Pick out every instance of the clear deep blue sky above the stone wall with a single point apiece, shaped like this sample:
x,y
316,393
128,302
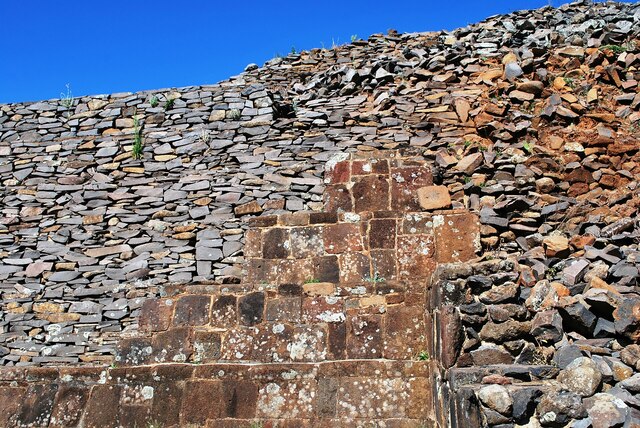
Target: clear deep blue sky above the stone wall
x,y
106,46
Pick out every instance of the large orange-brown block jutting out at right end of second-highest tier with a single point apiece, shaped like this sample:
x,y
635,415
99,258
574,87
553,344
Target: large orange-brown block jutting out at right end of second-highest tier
x,y
457,237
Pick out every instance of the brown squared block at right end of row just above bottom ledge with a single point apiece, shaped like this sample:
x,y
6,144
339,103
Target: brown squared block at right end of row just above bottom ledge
x,y
404,332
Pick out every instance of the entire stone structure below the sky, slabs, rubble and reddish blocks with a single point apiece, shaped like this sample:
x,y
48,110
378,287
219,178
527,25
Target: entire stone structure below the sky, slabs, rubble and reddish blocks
x,y
479,210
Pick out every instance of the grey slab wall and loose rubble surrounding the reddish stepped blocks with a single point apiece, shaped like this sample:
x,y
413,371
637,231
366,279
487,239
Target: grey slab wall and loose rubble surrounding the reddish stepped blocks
x,y
529,119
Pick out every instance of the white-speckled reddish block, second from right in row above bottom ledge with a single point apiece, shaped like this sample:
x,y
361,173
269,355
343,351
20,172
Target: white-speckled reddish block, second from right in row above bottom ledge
x,y
364,336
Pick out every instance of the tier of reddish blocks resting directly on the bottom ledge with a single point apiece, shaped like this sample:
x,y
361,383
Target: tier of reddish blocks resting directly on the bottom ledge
x,y
289,322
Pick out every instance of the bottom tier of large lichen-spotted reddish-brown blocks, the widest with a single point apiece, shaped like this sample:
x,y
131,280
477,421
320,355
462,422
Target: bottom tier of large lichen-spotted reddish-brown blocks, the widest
x,y
322,394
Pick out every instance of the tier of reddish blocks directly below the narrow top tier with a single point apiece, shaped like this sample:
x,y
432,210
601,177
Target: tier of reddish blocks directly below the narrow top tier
x,y
349,247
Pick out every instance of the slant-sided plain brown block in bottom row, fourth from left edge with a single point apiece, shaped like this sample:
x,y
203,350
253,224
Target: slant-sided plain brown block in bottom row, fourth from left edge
x,y
103,407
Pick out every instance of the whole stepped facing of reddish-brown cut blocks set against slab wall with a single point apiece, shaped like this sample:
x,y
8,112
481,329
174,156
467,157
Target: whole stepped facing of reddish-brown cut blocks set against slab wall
x,y
333,324
